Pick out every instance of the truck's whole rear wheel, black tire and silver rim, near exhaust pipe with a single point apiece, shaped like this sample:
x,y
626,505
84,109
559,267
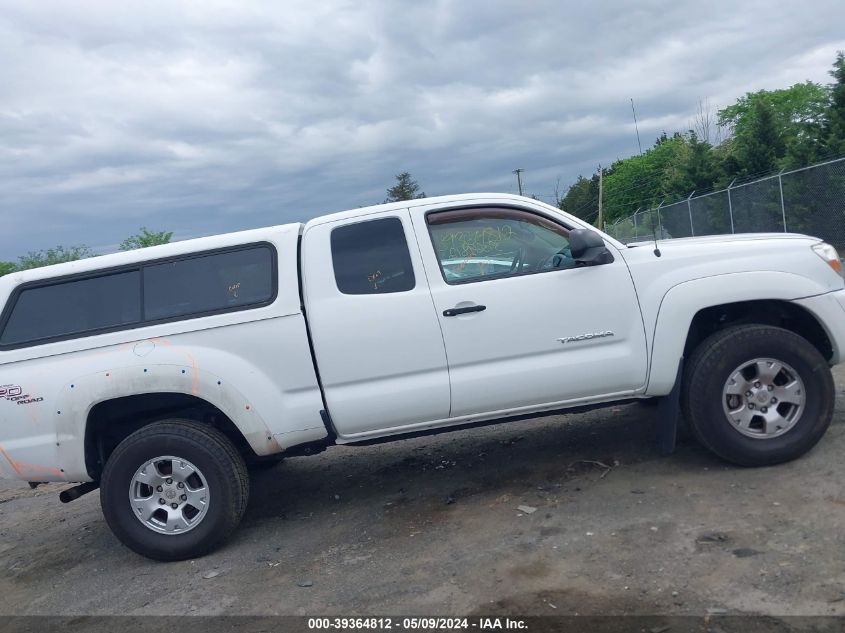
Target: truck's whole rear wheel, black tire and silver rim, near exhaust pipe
x,y
174,490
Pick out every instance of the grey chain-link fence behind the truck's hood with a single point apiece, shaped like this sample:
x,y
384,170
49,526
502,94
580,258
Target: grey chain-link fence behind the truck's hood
x,y
810,200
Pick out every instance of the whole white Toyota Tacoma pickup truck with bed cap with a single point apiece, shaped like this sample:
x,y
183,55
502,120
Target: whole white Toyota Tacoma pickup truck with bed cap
x,y
159,375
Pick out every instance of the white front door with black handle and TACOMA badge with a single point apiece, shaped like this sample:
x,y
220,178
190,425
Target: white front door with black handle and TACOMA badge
x,y
526,327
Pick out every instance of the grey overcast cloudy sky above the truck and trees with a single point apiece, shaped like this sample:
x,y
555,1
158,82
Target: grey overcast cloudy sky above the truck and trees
x,y
208,116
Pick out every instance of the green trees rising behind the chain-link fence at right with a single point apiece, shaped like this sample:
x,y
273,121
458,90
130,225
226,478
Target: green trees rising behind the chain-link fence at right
x,y
763,132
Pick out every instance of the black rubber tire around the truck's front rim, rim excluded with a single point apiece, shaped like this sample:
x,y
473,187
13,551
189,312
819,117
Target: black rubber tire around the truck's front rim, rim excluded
x,y
710,367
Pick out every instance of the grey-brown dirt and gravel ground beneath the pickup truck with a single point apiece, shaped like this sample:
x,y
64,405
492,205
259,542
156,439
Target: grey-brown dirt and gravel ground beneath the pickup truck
x,y
433,526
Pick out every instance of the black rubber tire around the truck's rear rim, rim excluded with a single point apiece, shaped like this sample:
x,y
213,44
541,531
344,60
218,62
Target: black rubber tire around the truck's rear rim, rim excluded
x,y
211,452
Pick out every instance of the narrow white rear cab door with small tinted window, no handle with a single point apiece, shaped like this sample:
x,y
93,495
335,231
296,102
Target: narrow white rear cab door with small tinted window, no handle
x,y
376,337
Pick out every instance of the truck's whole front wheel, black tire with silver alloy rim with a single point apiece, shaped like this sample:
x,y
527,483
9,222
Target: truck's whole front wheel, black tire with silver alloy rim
x,y
757,395
